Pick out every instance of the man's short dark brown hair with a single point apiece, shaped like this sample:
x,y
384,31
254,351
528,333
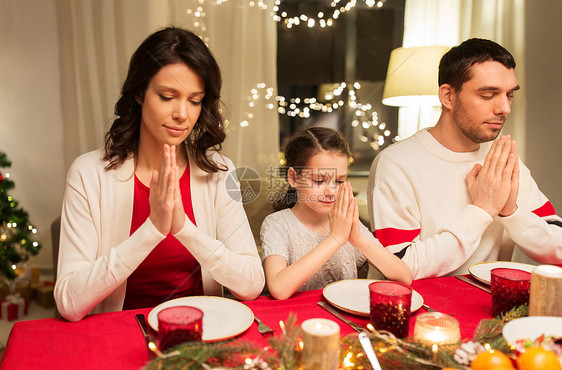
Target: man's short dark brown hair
x,y
455,67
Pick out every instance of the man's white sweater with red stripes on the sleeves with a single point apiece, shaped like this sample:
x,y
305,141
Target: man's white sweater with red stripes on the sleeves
x,y
420,208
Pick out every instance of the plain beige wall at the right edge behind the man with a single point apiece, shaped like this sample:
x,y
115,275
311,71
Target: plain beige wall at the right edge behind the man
x,y
544,96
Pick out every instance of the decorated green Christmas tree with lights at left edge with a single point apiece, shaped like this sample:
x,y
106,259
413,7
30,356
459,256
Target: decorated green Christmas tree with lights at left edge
x,y
16,244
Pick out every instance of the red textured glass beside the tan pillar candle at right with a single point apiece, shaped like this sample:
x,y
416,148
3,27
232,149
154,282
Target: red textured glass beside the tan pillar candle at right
x,y
510,288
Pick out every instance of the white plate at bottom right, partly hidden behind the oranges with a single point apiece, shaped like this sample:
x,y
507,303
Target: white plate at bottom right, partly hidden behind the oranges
x,y
531,328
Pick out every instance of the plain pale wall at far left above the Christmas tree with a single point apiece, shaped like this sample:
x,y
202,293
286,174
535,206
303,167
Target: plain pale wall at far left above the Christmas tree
x,y
30,117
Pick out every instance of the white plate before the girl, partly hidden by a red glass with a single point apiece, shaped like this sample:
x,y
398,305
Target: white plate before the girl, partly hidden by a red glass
x,y
352,296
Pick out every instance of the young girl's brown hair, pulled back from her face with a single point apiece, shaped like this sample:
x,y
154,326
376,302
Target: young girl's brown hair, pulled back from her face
x,y
302,146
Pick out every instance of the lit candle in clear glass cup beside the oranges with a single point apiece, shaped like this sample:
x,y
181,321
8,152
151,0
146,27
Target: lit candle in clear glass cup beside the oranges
x,y
437,328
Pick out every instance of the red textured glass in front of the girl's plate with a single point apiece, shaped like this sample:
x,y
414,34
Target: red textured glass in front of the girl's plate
x,y
390,307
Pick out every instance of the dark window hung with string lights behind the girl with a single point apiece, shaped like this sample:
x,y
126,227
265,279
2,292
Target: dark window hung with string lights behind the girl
x,y
334,75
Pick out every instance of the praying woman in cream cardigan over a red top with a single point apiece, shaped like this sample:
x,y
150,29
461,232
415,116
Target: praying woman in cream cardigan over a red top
x,y
149,218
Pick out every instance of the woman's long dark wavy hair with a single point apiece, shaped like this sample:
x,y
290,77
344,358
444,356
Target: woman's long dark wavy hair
x,y
168,46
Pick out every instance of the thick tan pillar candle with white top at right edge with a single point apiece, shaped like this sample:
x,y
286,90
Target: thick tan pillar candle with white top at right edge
x,y
545,293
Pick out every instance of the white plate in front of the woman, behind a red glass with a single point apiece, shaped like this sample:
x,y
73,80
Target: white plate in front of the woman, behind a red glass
x,y
223,318
